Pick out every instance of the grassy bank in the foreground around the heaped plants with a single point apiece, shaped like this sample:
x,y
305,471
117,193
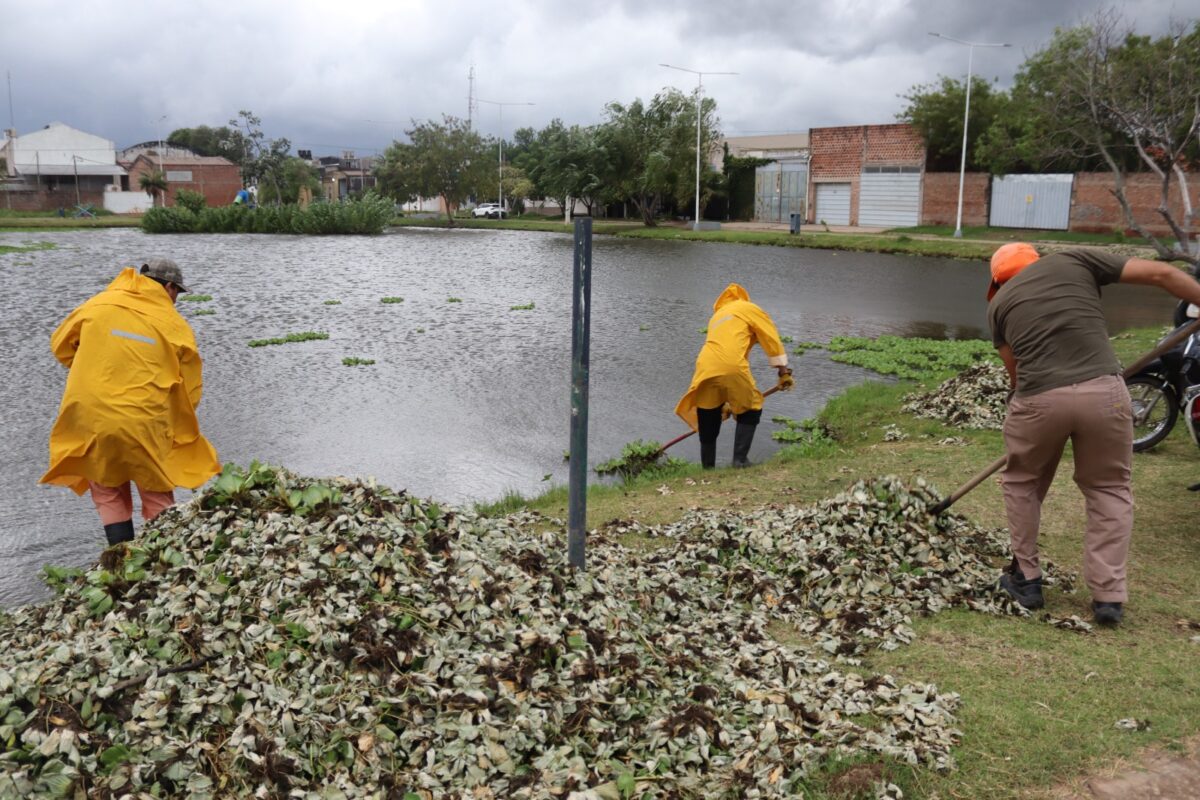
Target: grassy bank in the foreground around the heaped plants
x,y
1040,703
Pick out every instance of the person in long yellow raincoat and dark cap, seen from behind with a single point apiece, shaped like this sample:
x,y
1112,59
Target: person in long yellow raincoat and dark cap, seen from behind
x,y
129,410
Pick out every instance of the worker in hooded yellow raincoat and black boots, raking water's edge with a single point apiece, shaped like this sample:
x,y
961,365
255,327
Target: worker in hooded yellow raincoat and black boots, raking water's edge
x,y
723,381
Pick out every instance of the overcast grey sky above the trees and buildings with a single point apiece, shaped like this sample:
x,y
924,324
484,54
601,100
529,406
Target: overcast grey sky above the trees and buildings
x,y
352,75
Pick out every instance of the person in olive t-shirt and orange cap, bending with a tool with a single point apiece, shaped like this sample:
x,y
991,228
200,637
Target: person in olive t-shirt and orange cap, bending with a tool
x,y
1048,324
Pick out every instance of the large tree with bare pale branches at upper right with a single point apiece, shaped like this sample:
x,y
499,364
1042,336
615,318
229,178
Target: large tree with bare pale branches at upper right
x,y
1100,93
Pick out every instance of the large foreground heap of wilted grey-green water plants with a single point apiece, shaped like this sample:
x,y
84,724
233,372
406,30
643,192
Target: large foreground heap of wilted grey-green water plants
x,y
284,637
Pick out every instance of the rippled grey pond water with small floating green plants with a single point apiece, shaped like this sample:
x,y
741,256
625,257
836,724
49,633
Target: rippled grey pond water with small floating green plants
x,y
466,400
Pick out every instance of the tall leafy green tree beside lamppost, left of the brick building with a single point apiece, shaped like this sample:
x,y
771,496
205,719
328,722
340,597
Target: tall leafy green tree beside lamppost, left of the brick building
x,y
651,151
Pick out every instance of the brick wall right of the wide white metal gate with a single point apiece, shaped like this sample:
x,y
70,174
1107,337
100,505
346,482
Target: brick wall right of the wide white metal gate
x,y
1094,208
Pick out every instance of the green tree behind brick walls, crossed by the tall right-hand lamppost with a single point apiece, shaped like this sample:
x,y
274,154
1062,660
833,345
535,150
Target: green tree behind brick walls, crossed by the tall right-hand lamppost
x,y
935,111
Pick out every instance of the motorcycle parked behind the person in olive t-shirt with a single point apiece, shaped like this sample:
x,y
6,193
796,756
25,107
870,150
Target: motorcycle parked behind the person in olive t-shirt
x,y
1166,387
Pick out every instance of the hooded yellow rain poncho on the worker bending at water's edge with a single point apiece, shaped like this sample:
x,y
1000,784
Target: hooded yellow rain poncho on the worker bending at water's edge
x,y
723,368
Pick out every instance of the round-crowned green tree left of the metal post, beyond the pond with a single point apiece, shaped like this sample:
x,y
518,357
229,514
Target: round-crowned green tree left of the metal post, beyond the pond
x,y
446,160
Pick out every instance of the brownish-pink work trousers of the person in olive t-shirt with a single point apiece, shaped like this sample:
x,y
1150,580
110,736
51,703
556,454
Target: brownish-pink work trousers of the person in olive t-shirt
x,y
1096,417
